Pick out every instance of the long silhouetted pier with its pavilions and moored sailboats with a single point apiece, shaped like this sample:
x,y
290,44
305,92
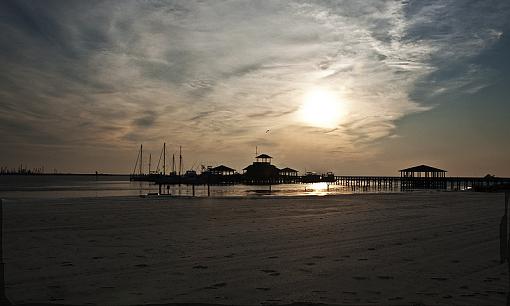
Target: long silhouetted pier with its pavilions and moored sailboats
x,y
263,172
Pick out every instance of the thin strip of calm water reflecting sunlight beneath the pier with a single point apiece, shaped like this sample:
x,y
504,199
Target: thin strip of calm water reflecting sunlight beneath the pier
x,y
51,186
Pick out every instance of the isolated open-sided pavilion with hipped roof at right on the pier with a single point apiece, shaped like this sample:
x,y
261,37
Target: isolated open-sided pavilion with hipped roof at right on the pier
x,y
423,177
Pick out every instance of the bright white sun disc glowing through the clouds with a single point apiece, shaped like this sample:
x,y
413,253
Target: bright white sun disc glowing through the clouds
x,y
321,108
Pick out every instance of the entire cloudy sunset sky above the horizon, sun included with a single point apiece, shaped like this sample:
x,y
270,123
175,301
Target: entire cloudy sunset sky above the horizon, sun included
x,y
354,87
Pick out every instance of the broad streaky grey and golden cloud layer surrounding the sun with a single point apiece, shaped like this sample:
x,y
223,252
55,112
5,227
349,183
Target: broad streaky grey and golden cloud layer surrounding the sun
x,y
203,72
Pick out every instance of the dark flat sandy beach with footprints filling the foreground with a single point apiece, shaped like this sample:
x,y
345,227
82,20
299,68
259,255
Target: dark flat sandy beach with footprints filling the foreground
x,y
429,248
